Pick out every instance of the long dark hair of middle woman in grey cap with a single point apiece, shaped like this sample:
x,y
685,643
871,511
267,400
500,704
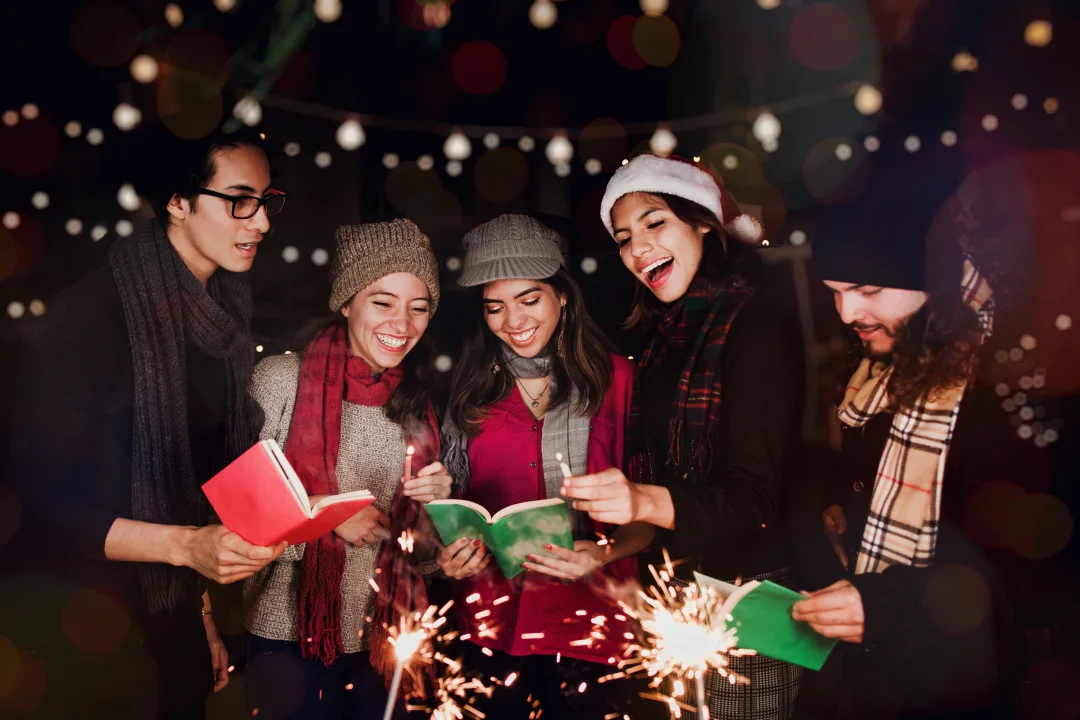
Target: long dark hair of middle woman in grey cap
x,y
585,364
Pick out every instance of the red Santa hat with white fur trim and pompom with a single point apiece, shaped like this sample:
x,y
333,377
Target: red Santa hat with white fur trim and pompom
x,y
674,176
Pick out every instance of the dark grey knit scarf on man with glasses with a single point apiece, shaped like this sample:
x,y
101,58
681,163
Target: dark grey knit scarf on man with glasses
x,y
165,305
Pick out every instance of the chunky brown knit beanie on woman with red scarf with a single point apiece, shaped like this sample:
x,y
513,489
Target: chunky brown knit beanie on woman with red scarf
x,y
369,252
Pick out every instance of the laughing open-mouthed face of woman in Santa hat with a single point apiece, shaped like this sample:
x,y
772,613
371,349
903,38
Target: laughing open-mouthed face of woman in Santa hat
x,y
659,249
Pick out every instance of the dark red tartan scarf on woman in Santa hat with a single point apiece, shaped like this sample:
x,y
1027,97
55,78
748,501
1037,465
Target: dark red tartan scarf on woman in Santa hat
x,y
707,323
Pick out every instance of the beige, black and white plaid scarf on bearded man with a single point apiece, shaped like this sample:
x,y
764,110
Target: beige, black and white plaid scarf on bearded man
x,y
906,508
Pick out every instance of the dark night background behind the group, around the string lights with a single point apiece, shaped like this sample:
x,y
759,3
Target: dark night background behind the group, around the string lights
x,y
606,77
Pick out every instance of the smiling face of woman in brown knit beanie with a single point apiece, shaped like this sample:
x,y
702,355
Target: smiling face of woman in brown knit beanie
x,y
387,319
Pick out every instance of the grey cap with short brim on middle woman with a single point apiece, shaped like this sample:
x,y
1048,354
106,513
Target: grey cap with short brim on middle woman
x,y
510,247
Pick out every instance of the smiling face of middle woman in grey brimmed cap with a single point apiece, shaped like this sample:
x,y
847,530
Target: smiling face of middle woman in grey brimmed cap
x,y
523,314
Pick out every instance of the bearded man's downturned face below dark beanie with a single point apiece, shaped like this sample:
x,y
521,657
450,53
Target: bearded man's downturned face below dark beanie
x,y
875,314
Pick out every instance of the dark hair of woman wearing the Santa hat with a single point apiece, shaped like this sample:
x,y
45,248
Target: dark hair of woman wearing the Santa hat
x,y
722,257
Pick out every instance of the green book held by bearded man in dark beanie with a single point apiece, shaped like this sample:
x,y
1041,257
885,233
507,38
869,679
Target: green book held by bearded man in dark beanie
x,y
762,615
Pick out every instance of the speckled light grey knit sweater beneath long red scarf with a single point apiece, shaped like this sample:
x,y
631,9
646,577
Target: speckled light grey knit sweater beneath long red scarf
x,y
372,457
